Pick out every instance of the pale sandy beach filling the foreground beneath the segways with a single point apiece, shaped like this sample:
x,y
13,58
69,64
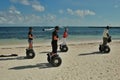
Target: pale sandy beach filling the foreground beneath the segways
x,y
82,62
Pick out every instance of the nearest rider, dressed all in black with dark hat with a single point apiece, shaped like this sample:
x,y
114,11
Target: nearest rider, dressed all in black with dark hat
x,y
55,40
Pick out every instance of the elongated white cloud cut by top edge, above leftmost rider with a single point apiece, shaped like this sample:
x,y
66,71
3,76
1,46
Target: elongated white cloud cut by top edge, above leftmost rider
x,y
33,3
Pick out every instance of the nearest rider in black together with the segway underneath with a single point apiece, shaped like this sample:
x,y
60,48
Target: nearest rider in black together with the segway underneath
x,y
53,57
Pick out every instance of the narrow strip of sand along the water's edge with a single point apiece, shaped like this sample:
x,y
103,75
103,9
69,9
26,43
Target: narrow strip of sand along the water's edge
x,y
69,43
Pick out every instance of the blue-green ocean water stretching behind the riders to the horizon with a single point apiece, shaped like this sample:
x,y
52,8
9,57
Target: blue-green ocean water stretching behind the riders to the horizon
x,y
18,35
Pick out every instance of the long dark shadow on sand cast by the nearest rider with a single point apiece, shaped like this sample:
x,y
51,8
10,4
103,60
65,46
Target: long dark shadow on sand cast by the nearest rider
x,y
40,66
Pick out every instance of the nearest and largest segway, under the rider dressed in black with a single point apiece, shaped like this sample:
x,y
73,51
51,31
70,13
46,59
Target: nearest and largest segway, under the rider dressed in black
x,y
55,60
